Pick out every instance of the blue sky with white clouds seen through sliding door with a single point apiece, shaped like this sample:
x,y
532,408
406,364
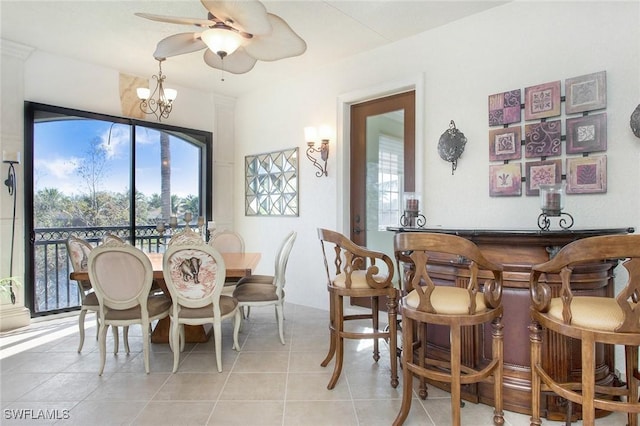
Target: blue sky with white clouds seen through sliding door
x,y
60,145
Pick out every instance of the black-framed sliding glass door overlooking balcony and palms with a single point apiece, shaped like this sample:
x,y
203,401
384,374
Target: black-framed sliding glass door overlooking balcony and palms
x,y
91,174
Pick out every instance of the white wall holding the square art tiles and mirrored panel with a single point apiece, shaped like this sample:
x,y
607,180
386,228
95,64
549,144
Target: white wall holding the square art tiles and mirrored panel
x,y
517,45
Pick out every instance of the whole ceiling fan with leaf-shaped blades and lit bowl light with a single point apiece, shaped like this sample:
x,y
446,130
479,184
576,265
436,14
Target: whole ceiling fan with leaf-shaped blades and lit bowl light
x,y
236,35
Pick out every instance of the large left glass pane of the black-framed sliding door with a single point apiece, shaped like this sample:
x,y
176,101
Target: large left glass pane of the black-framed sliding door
x,y
81,182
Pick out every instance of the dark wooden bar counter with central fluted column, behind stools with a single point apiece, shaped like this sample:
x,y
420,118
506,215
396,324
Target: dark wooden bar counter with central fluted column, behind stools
x,y
517,251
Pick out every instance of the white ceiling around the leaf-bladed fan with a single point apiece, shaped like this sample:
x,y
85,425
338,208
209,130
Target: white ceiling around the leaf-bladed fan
x,y
107,33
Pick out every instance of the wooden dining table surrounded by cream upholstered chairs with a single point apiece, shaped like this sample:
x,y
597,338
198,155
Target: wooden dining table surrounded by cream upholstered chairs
x,y
237,265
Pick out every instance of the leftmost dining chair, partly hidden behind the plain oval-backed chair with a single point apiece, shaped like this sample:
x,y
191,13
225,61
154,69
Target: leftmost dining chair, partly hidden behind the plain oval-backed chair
x,y
78,251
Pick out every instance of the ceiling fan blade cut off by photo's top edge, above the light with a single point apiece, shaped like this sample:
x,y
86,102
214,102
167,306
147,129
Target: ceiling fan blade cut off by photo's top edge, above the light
x,y
249,16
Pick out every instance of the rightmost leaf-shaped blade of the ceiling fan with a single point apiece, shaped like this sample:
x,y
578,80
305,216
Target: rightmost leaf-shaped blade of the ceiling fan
x,y
282,43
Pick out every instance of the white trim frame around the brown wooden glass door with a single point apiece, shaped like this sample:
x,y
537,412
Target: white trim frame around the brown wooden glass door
x,y
344,132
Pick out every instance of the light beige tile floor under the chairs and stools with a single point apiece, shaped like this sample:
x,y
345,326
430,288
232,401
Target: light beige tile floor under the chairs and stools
x,y
265,383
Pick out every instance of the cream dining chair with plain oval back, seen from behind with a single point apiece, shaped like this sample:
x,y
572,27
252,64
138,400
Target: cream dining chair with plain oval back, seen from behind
x,y
121,276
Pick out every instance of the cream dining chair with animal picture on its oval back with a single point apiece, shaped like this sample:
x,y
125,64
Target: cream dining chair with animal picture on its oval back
x,y
194,273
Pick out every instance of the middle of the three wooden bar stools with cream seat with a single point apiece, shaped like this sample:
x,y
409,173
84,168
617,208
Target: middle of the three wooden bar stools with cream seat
x,y
465,306
